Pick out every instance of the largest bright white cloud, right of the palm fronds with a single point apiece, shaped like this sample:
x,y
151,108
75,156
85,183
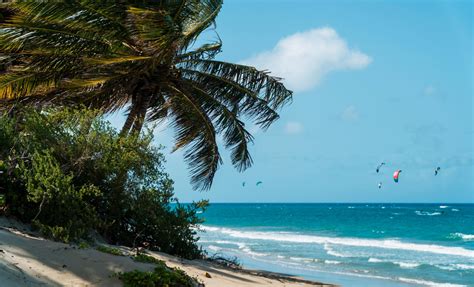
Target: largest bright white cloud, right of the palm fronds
x,y
303,59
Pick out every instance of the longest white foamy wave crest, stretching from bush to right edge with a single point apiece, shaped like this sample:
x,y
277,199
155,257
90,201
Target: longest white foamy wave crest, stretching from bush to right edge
x,y
345,241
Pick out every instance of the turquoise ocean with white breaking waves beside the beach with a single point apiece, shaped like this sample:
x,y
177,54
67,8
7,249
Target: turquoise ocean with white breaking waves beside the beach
x,y
348,244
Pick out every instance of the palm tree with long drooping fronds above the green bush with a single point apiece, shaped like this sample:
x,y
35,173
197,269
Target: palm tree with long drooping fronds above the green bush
x,y
111,55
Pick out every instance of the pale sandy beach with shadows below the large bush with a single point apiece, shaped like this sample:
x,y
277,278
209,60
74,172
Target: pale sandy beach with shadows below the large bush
x,y
29,260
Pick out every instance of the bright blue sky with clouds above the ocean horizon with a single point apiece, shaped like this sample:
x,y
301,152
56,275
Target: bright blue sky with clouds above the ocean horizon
x,y
374,81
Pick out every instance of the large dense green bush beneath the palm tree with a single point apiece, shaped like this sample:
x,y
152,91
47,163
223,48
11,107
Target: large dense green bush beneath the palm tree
x,y
70,173
